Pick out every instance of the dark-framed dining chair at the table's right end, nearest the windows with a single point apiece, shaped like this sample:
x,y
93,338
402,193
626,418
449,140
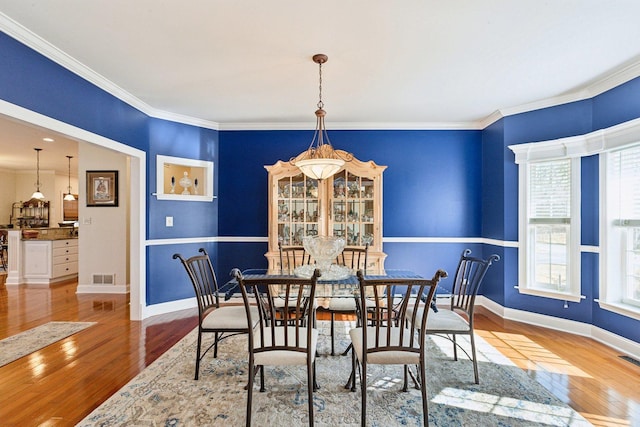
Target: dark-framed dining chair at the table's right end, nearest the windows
x,y
457,319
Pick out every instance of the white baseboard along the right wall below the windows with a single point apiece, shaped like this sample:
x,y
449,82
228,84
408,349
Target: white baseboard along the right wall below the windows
x,y
621,344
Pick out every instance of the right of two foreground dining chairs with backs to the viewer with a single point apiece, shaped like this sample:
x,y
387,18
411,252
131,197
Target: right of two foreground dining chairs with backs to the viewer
x,y
389,337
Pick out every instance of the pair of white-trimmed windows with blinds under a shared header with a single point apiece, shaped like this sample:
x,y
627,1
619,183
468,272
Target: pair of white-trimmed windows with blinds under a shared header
x,y
541,204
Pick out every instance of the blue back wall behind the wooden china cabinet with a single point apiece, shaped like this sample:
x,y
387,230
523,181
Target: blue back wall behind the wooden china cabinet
x,y
432,188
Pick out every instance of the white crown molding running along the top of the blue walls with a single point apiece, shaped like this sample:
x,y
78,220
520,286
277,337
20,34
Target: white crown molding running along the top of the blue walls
x,y
35,42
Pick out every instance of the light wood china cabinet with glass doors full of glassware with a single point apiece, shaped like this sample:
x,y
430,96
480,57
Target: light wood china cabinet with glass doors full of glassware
x,y
348,205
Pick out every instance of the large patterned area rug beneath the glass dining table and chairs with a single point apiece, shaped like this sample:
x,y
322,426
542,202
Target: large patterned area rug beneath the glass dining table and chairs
x,y
166,394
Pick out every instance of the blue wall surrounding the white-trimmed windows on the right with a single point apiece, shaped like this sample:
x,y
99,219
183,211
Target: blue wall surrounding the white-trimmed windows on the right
x,y
577,118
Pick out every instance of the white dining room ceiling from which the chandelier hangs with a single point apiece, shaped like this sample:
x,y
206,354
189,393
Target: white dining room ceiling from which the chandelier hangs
x,y
392,64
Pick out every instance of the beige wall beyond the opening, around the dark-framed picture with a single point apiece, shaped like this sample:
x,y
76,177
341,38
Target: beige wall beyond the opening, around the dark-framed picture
x,y
103,231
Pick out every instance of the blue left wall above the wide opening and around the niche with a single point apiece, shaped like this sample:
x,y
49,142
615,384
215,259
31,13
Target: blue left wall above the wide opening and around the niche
x,y
34,82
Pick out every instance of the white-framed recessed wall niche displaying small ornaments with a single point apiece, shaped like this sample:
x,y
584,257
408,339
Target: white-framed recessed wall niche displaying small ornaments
x,y
184,179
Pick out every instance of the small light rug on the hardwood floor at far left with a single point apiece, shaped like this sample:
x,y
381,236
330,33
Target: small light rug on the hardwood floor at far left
x,y
17,346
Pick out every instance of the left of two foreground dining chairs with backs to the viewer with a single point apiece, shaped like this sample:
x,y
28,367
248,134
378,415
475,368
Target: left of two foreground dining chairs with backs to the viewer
x,y
279,338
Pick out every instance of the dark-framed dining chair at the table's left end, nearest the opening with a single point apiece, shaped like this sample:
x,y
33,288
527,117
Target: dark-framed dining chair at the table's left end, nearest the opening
x,y
222,321
